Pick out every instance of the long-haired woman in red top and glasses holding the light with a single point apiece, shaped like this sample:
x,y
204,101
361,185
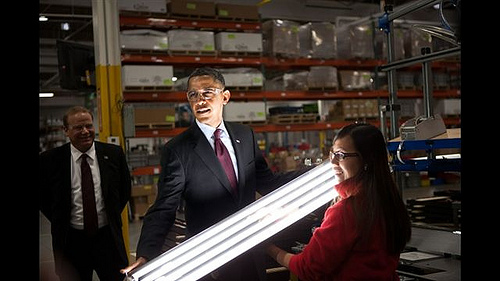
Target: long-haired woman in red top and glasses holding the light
x,y
363,233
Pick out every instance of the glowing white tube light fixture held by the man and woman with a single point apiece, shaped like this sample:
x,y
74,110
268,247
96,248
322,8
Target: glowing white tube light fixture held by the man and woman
x,y
224,241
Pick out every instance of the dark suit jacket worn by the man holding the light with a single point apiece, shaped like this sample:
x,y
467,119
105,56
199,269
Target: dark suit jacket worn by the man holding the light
x,y
191,171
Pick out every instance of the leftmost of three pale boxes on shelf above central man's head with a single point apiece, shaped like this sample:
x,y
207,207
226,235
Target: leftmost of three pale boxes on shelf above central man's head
x,y
143,39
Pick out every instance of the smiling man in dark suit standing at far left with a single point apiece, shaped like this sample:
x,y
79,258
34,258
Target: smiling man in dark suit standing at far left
x,y
77,253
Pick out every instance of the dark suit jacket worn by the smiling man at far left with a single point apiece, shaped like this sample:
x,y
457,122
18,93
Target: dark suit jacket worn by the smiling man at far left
x,y
55,191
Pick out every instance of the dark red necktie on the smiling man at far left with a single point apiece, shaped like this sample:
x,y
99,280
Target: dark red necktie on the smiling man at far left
x,y
88,197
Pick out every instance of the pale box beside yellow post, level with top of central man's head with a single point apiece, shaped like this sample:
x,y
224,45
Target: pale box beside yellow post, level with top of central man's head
x,y
147,75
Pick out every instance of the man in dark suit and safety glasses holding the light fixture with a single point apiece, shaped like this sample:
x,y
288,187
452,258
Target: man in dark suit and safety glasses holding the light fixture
x,y
191,171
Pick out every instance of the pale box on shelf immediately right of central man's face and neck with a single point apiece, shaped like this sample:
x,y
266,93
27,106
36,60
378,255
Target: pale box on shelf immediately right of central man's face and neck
x,y
245,111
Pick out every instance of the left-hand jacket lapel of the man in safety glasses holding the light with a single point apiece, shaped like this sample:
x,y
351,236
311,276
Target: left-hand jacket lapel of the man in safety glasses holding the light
x,y
207,155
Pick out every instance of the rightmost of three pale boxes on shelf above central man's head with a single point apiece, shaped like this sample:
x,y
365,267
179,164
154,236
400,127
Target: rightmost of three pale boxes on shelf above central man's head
x,y
238,42
